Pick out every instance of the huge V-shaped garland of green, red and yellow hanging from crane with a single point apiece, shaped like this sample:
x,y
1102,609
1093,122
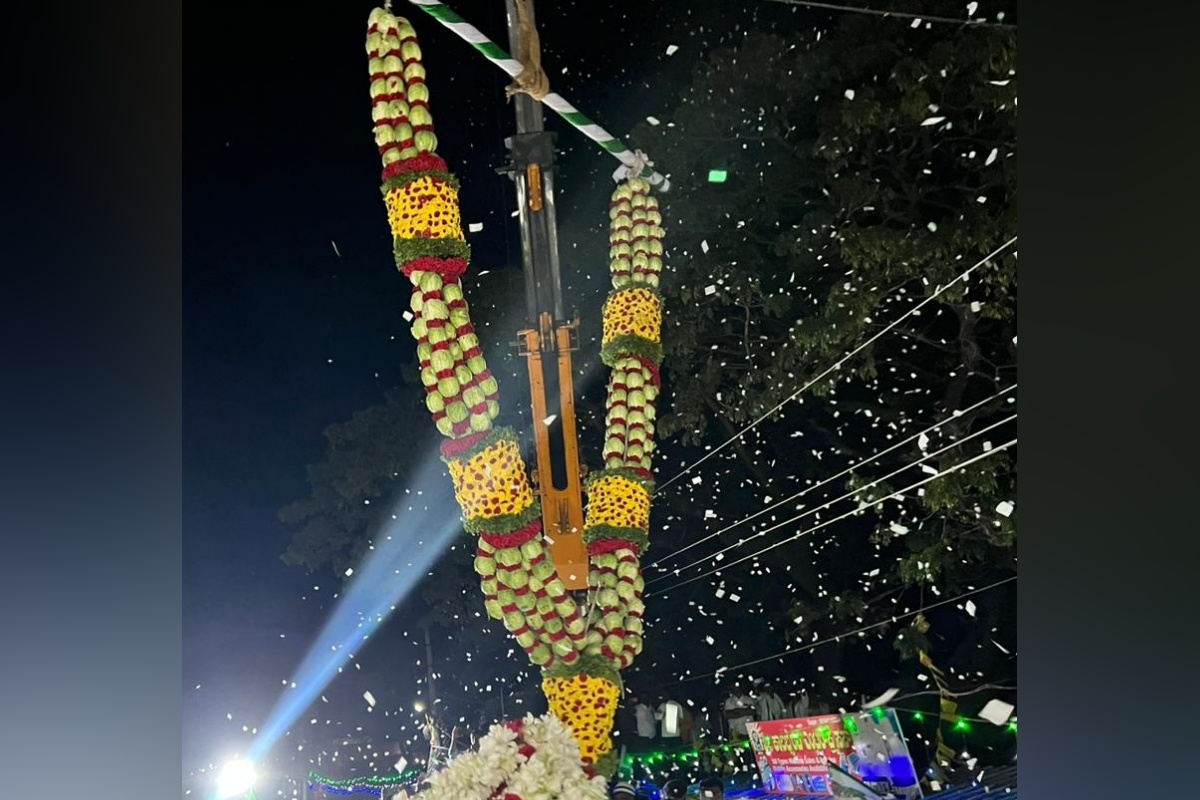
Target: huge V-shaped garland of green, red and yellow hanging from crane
x,y
580,657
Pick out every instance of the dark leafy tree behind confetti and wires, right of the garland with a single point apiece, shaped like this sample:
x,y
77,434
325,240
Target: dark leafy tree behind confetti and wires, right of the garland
x,y
869,166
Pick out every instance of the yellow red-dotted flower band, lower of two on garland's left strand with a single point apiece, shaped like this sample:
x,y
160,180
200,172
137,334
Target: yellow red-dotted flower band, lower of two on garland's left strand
x,y
493,483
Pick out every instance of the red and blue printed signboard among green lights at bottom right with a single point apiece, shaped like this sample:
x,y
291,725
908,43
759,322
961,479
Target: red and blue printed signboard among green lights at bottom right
x,y
794,756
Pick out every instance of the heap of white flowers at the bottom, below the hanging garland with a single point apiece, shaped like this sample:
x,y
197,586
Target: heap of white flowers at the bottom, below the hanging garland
x,y
500,772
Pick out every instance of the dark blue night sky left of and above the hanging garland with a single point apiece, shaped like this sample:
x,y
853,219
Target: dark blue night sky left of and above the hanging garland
x,y
292,300
